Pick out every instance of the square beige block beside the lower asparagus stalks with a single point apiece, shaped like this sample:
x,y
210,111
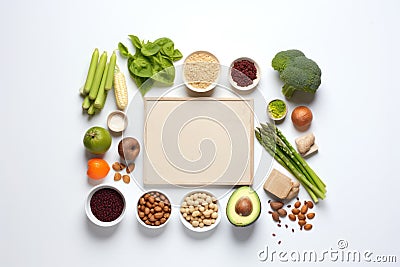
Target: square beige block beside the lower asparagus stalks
x,y
278,184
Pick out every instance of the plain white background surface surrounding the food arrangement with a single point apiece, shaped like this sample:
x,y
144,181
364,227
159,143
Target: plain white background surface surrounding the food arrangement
x,y
45,52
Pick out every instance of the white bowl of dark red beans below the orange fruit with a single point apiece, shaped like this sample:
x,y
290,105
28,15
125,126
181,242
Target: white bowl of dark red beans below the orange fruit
x,y
105,205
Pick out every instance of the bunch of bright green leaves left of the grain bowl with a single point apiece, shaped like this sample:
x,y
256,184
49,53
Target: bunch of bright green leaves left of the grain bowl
x,y
152,62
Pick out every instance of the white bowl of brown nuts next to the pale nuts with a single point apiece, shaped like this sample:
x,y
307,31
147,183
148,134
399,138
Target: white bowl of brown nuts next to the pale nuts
x,y
153,209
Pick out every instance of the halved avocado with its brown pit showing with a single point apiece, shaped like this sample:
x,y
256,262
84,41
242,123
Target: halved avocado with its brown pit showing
x,y
244,207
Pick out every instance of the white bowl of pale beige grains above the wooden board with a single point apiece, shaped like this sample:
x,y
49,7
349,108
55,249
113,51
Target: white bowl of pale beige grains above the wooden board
x,y
201,71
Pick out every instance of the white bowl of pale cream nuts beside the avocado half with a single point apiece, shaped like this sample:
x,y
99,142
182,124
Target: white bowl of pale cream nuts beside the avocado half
x,y
200,211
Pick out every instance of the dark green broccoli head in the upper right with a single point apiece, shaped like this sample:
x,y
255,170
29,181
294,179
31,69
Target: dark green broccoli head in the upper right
x,y
297,72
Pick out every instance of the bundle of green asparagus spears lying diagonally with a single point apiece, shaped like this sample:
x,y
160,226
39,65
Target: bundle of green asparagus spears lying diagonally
x,y
276,144
